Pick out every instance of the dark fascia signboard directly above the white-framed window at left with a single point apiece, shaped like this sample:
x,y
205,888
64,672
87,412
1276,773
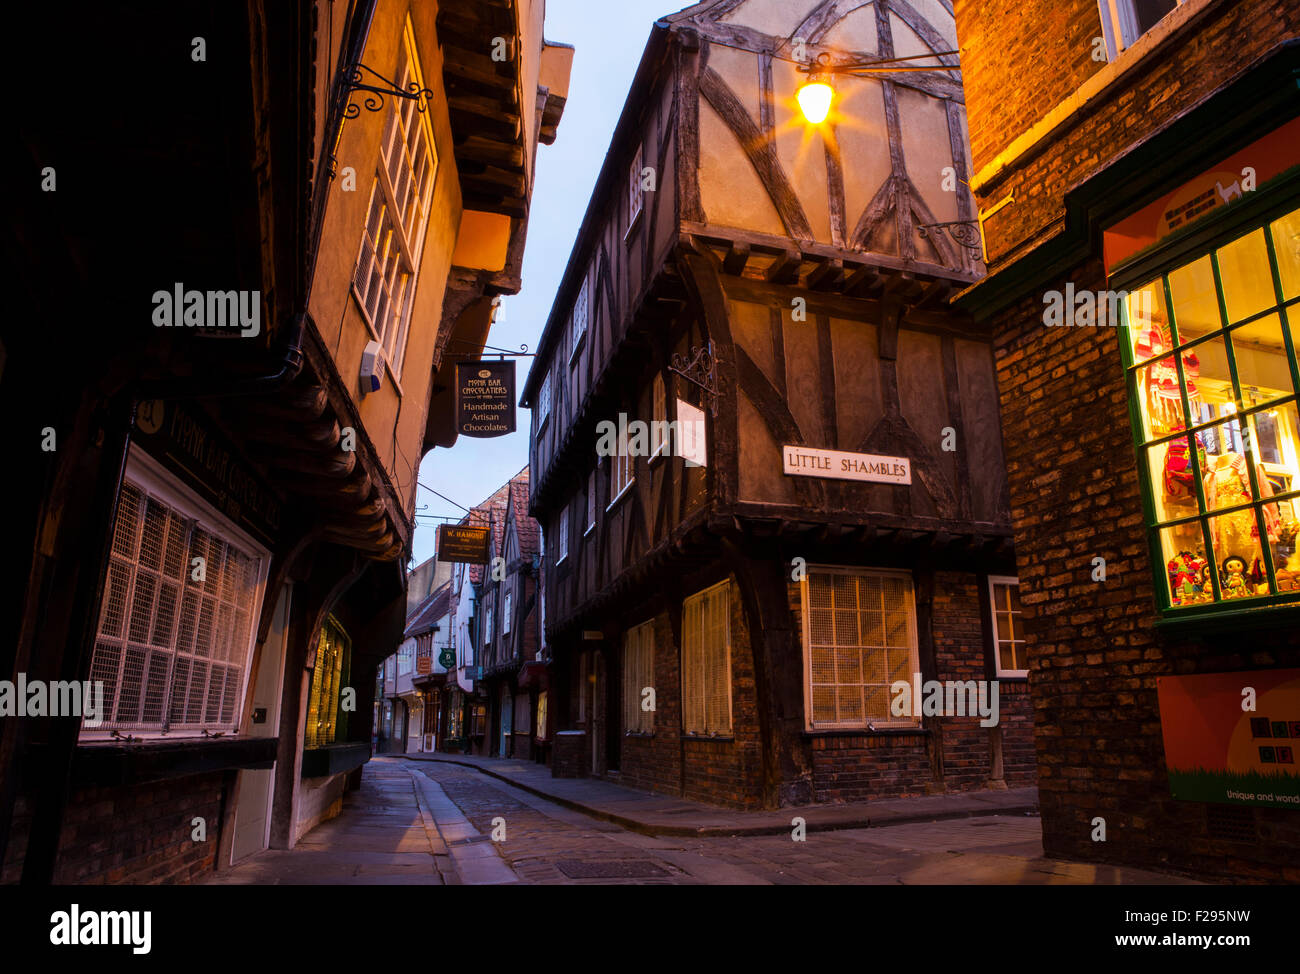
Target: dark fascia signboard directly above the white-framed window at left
x,y
188,444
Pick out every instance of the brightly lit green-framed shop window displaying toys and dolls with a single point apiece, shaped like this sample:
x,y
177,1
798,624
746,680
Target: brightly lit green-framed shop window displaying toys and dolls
x,y
1211,354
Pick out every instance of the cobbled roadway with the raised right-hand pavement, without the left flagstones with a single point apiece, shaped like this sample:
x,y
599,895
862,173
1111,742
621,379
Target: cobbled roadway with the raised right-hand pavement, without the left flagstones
x,y
545,843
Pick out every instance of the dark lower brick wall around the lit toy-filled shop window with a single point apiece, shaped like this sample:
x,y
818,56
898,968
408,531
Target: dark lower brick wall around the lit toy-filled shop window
x,y
1094,652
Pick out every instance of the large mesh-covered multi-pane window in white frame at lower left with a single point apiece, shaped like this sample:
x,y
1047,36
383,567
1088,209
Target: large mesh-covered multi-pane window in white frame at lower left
x,y
175,634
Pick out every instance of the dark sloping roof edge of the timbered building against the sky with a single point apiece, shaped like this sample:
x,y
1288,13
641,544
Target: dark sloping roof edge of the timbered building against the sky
x,y
648,71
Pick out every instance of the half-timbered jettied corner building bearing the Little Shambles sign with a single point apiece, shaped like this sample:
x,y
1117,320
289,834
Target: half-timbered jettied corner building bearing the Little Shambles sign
x,y
731,627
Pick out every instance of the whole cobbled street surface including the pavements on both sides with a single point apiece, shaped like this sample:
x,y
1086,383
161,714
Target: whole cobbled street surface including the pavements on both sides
x,y
419,823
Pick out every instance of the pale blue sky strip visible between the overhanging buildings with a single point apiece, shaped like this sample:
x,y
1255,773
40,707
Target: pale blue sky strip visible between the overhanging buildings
x,y
609,37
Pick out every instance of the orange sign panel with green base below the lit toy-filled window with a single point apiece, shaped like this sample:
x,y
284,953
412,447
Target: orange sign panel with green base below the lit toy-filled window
x,y
1233,738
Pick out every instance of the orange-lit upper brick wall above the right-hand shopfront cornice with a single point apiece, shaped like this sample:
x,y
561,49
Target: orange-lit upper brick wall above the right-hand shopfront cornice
x,y
1022,58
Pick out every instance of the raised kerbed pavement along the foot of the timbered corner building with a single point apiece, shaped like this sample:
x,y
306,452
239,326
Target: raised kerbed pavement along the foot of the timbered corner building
x,y
658,815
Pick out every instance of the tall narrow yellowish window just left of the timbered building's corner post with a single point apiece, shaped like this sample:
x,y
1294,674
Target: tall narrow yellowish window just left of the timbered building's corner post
x,y
707,663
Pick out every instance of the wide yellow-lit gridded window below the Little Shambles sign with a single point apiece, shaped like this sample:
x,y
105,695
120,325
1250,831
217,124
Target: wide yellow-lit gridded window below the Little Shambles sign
x,y
860,637
